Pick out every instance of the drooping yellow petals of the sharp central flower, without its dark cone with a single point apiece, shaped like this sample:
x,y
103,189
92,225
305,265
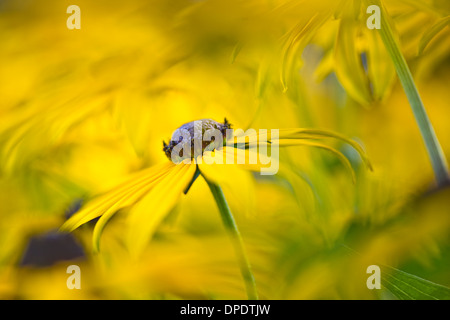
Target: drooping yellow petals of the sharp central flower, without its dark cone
x,y
153,192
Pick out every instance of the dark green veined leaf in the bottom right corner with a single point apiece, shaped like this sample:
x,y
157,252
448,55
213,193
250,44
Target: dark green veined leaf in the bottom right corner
x,y
406,286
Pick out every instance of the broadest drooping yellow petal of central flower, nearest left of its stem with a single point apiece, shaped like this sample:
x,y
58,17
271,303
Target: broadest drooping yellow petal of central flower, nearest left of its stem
x,y
148,213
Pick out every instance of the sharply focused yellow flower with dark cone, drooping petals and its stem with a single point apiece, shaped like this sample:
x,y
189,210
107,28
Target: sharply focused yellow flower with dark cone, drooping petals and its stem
x,y
155,191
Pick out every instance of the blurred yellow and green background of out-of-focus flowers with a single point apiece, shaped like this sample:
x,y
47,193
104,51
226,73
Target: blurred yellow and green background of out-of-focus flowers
x,y
81,110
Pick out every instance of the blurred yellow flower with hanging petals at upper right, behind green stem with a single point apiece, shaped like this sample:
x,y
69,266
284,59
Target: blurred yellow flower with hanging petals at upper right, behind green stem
x,y
356,53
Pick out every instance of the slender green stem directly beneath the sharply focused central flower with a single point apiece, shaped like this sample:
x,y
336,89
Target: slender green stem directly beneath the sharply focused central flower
x,y
230,225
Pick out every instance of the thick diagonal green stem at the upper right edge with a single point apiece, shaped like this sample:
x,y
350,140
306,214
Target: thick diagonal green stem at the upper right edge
x,y
434,149
